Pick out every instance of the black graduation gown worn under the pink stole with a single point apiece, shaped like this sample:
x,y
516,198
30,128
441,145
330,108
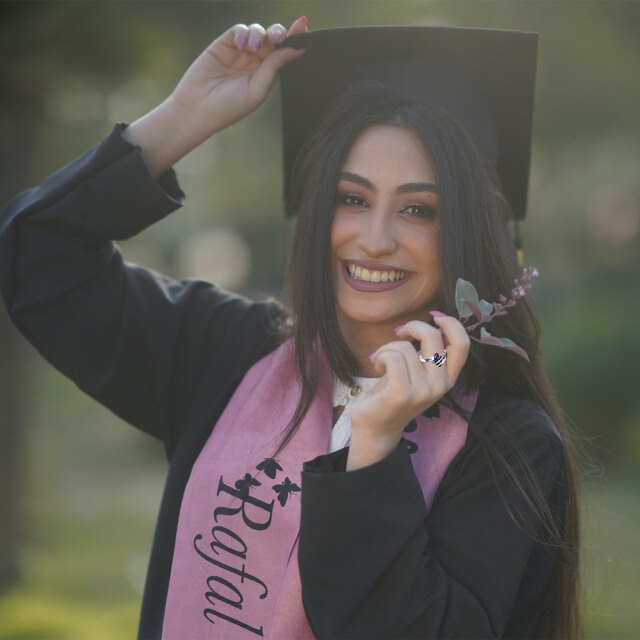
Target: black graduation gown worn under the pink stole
x,y
166,355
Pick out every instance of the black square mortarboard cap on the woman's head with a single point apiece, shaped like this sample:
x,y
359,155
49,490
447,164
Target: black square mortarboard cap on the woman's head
x,y
485,78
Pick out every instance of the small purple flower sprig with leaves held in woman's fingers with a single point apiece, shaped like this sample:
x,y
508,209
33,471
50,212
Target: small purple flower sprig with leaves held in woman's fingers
x,y
469,304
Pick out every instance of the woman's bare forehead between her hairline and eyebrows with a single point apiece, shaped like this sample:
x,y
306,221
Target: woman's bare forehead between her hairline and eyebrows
x,y
388,152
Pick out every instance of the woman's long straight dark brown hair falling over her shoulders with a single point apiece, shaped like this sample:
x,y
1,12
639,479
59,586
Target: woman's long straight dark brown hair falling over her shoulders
x,y
475,243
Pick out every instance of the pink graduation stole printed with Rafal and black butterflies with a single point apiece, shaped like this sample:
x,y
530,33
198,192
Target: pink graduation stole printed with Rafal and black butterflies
x,y
235,564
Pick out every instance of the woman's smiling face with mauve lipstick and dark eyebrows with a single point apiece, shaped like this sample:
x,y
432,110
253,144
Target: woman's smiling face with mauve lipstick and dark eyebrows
x,y
384,233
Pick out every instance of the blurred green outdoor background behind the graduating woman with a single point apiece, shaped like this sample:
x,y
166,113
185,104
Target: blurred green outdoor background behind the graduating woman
x,y
80,488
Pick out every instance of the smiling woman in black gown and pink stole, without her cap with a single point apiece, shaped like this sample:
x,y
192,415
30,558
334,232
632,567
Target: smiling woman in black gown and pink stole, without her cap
x,y
451,513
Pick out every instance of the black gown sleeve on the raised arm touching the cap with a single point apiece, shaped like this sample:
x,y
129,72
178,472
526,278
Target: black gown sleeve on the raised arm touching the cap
x,y
130,337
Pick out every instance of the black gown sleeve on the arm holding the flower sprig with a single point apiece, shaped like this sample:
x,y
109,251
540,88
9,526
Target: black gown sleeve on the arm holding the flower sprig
x,y
375,564
